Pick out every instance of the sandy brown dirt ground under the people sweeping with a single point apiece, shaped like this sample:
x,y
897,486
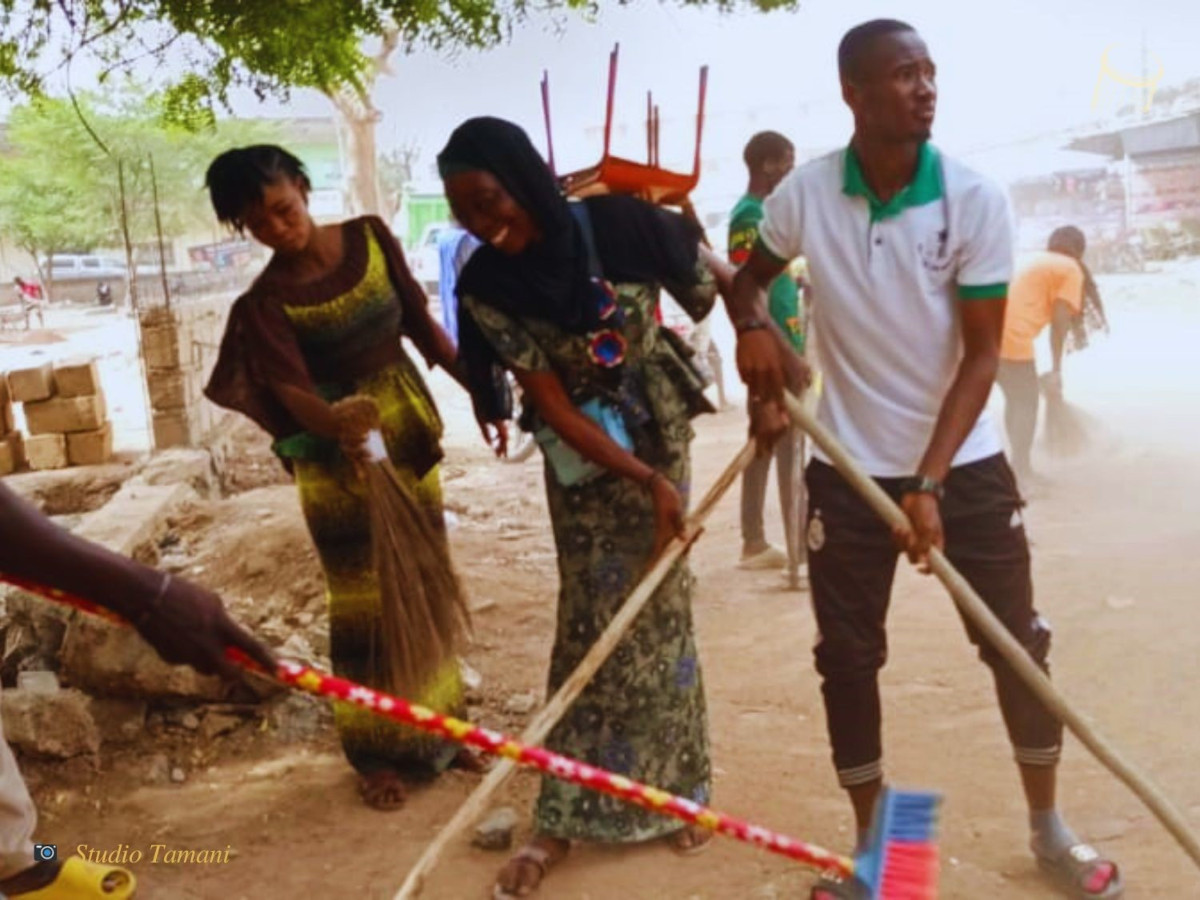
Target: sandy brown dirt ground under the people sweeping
x,y
1117,571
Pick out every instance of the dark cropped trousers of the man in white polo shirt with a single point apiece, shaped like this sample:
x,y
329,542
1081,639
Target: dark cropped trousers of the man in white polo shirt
x,y
853,563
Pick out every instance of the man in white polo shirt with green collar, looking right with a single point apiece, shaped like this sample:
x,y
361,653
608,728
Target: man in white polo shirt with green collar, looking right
x,y
910,256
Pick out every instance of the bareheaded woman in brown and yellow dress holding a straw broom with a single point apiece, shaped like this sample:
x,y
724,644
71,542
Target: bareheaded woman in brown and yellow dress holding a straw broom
x,y
322,323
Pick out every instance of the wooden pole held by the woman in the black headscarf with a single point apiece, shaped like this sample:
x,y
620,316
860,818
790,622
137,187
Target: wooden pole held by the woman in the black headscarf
x,y
548,718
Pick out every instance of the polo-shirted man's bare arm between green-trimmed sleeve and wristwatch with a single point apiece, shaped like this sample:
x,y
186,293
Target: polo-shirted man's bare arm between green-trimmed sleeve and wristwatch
x,y
983,323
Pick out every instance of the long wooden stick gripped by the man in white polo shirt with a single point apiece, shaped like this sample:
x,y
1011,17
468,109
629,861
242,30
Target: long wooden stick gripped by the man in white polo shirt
x,y
974,608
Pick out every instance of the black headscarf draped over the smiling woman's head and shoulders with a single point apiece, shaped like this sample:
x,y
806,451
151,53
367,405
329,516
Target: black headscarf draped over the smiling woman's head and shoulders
x,y
550,280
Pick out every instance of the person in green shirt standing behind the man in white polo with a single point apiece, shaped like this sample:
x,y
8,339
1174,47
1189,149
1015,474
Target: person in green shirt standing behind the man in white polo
x,y
770,157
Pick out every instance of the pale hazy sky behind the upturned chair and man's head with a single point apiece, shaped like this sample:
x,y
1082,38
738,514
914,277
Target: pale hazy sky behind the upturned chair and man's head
x,y
1009,73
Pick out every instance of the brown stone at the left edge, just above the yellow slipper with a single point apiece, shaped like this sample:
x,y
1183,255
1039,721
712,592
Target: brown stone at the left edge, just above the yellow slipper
x,y
53,725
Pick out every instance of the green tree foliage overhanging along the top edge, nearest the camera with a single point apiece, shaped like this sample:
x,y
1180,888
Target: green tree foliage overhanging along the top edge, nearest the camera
x,y
262,45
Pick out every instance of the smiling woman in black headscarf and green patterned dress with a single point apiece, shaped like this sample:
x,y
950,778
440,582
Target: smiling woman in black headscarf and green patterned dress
x,y
565,298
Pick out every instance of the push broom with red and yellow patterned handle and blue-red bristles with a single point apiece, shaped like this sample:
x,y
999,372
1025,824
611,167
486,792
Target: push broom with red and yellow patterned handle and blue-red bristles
x,y
901,865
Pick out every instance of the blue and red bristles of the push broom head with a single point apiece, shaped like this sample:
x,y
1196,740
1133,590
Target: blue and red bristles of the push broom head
x,y
902,859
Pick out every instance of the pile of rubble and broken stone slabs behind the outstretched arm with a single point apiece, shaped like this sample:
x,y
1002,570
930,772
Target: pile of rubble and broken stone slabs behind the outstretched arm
x,y
76,687
